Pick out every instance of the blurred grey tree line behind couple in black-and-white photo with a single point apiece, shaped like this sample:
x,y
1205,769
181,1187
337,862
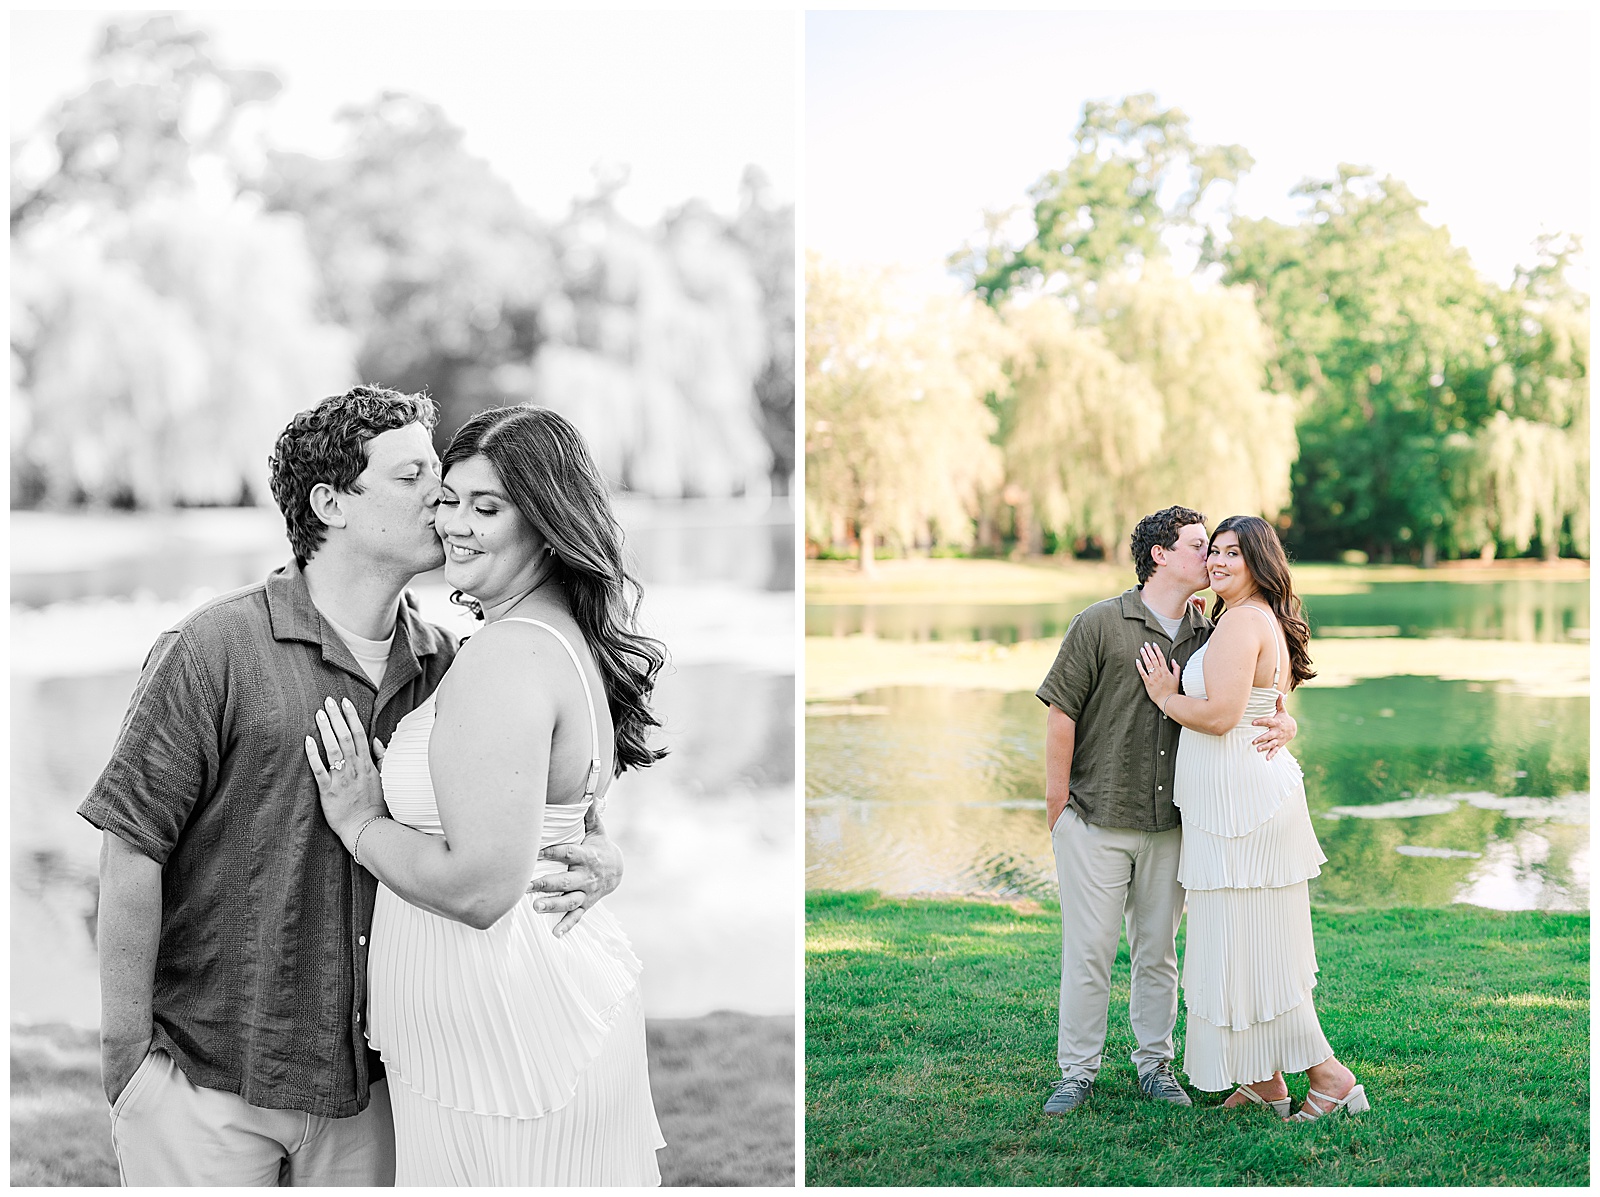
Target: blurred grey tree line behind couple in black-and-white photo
x,y
180,289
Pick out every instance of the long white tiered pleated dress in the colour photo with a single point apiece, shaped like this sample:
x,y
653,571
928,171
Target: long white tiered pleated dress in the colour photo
x,y
1247,857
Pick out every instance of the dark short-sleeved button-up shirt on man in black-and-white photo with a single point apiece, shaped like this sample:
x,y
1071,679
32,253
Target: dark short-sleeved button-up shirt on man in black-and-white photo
x,y
262,964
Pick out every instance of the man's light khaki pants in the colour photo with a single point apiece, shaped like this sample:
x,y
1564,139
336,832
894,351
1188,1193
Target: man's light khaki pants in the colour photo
x,y
1114,878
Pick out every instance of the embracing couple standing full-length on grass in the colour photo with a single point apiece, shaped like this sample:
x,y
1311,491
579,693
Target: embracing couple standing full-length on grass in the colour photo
x,y
1154,711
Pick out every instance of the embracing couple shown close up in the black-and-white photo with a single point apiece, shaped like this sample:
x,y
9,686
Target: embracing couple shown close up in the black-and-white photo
x,y
324,963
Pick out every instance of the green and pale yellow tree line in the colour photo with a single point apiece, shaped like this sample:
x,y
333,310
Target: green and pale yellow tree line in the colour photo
x,y
1351,377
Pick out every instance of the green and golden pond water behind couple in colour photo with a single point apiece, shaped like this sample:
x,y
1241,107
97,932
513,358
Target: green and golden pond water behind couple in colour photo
x,y
1423,791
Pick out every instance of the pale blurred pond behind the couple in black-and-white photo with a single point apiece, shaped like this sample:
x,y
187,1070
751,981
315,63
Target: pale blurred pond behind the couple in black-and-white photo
x,y
90,596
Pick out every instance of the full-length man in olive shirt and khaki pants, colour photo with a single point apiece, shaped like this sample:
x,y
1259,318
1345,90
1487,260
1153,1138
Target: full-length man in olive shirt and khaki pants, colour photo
x,y
1110,759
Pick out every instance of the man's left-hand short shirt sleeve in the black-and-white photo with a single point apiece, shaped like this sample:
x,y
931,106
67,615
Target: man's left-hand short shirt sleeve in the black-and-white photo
x,y
166,758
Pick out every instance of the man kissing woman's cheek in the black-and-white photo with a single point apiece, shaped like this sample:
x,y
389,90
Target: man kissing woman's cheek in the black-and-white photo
x,y
233,924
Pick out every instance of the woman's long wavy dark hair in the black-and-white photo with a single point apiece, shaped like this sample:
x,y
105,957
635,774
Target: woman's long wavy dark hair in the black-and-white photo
x,y
550,474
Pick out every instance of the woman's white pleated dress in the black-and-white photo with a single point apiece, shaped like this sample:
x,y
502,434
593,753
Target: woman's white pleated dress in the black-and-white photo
x,y
513,1057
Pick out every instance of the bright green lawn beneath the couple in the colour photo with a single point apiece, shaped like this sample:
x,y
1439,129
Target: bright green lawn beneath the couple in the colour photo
x,y
932,1043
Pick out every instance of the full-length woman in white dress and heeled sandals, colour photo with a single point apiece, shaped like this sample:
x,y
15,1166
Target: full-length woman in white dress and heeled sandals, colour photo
x,y
1249,844
